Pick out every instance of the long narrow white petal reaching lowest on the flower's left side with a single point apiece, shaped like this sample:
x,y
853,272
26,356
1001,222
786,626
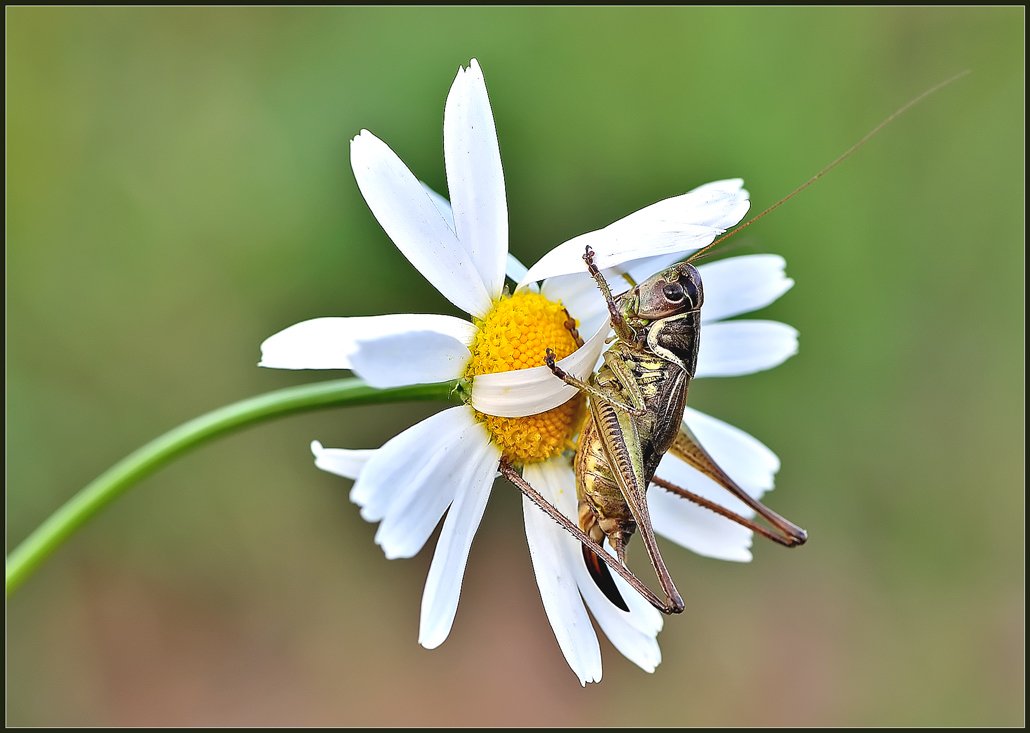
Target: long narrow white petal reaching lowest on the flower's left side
x,y
444,583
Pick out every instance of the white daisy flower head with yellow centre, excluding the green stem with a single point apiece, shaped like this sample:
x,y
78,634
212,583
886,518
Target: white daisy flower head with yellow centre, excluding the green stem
x,y
517,410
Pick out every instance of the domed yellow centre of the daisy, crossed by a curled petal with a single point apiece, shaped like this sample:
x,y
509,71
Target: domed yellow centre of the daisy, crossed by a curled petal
x,y
516,334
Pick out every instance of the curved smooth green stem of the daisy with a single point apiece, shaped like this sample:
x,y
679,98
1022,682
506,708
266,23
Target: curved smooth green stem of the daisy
x,y
110,485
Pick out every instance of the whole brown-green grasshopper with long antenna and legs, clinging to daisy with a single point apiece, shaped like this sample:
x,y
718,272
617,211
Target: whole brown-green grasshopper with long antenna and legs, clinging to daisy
x,y
637,401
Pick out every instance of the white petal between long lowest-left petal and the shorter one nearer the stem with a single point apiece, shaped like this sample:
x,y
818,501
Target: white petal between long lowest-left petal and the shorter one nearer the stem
x,y
418,508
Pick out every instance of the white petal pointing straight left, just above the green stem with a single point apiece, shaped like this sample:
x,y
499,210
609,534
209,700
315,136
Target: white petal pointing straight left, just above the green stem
x,y
434,347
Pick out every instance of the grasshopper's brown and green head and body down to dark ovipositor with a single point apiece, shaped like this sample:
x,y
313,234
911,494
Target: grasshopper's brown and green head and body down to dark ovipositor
x,y
648,369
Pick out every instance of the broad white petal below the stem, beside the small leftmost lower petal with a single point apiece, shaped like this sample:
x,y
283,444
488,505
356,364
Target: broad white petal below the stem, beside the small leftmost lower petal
x,y
396,465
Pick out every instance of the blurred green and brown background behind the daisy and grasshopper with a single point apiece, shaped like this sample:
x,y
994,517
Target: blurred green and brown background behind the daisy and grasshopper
x,y
179,189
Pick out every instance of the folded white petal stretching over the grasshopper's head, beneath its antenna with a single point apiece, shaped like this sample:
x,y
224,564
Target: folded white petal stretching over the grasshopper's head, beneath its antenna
x,y
680,225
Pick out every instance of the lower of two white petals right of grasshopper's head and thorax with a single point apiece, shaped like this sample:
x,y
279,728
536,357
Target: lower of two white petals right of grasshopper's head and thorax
x,y
733,348
